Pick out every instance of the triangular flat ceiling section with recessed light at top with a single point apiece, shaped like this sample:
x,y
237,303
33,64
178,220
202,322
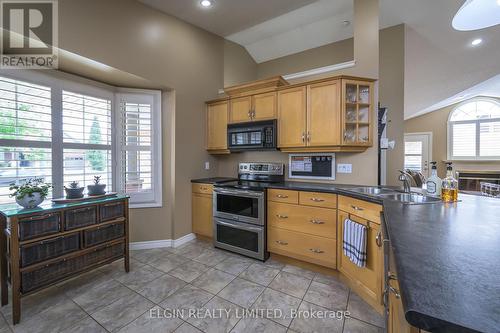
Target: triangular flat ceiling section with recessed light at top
x,y
226,17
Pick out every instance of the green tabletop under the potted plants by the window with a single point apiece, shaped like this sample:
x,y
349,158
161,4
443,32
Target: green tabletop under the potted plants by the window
x,y
13,209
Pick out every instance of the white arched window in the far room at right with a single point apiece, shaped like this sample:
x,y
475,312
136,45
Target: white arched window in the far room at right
x,y
474,131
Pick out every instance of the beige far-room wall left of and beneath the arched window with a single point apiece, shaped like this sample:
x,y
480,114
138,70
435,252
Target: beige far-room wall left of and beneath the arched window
x,y
436,122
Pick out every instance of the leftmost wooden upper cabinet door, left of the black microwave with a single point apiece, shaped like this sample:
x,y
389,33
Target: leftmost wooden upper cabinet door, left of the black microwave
x,y
217,126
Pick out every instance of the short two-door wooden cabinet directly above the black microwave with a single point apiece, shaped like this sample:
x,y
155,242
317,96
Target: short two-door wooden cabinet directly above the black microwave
x,y
253,108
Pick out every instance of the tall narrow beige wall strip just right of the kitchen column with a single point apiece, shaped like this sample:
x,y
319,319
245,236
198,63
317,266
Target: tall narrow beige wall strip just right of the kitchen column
x,y
391,94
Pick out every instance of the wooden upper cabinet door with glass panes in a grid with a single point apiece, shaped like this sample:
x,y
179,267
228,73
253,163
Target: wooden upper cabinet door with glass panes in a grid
x,y
357,113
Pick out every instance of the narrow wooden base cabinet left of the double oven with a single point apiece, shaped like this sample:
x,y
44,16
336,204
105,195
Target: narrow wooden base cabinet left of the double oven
x,y
201,206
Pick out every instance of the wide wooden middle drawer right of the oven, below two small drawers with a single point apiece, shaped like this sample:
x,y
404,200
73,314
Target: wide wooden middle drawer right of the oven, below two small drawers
x,y
309,220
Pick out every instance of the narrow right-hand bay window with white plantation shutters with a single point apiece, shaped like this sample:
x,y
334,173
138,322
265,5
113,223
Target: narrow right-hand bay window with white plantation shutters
x,y
139,157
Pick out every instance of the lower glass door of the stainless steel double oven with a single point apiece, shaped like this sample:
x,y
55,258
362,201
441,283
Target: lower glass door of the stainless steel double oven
x,y
240,237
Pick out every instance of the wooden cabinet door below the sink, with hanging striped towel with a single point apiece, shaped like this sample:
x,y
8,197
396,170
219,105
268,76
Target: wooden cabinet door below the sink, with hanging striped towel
x,y
368,279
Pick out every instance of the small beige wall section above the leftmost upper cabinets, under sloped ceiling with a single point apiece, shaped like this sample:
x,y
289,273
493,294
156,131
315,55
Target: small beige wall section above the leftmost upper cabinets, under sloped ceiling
x,y
239,66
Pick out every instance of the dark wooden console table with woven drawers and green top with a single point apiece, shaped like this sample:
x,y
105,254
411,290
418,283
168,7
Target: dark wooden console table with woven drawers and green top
x,y
45,245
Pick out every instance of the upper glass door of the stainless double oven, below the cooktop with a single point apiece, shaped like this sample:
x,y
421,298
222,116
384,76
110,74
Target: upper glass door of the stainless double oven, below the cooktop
x,y
242,206
